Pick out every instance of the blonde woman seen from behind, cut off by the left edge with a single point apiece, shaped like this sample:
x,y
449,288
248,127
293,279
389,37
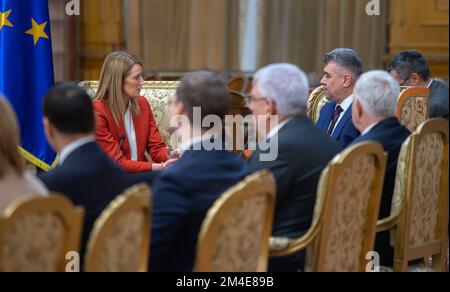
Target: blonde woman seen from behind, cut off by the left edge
x,y
15,182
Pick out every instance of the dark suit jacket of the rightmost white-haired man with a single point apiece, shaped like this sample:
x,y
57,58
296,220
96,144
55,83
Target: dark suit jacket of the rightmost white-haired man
x,y
391,134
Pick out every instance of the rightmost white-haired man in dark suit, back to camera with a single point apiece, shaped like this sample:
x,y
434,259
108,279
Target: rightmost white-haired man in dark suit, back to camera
x,y
374,110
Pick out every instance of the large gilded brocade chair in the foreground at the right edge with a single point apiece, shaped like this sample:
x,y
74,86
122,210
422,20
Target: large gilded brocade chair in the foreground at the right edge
x,y
419,214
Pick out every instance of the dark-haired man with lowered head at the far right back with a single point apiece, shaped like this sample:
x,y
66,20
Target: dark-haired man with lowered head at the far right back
x,y
410,68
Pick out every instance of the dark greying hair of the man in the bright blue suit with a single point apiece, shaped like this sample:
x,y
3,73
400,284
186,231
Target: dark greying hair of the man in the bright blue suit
x,y
345,58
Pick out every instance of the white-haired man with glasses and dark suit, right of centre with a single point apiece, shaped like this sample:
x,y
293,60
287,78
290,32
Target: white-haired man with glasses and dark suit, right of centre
x,y
294,150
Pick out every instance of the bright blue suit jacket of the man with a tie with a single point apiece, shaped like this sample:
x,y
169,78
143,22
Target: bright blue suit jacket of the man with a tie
x,y
344,132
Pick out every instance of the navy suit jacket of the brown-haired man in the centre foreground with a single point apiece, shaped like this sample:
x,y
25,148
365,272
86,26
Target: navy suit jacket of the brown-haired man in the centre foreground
x,y
181,197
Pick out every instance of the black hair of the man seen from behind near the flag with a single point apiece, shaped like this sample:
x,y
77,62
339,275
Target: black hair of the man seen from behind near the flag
x,y
69,108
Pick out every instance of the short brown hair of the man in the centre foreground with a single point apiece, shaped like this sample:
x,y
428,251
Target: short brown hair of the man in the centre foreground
x,y
206,90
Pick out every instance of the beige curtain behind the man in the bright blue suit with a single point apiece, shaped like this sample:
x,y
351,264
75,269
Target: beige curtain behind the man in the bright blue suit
x,y
302,31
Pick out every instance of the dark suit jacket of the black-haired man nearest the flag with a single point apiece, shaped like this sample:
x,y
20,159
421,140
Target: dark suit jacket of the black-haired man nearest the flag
x,y
89,178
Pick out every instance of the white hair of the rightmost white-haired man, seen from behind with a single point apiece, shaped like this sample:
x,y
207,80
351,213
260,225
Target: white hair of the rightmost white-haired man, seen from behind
x,y
378,92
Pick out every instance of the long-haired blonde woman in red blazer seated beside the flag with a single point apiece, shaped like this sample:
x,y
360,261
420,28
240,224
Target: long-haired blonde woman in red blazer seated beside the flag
x,y
125,126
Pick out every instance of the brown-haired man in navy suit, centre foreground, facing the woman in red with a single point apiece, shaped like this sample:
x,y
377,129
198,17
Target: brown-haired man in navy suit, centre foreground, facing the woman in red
x,y
183,193
